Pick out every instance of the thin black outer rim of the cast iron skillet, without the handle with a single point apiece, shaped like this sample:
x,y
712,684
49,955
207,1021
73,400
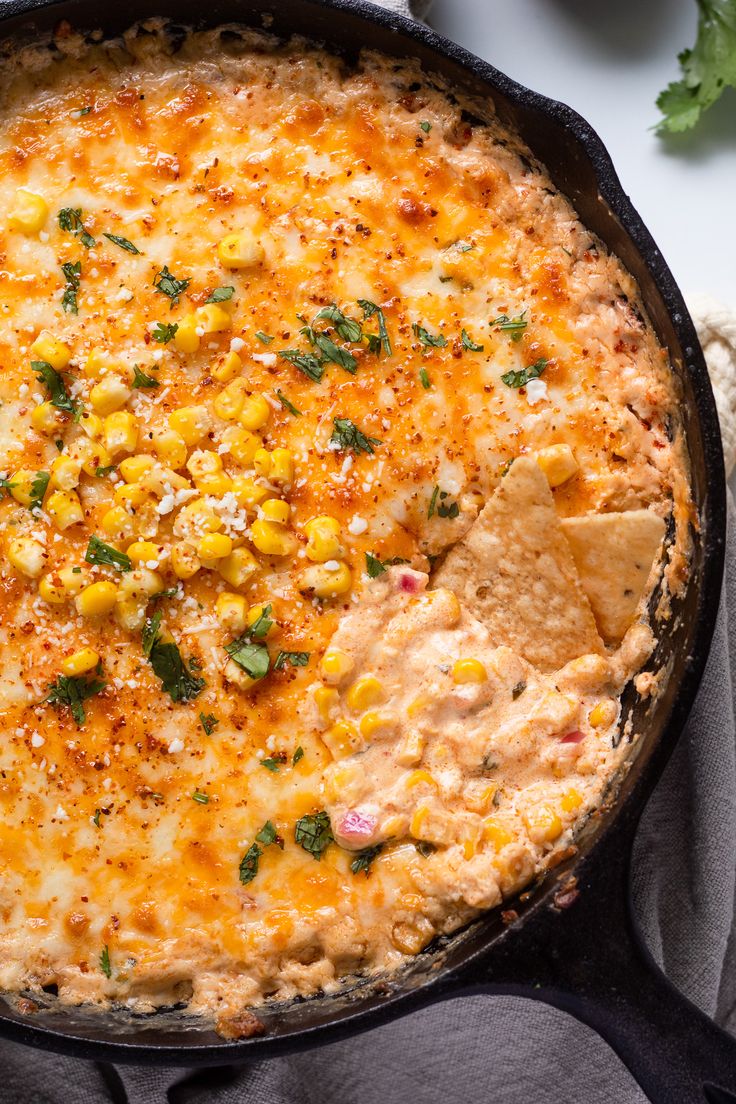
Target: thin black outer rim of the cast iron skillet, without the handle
x,y
630,804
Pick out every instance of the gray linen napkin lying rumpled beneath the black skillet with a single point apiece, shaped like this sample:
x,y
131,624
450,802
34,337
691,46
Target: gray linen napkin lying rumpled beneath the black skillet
x,y
503,1048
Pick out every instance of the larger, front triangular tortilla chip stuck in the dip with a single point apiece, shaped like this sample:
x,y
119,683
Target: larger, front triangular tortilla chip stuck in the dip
x,y
515,572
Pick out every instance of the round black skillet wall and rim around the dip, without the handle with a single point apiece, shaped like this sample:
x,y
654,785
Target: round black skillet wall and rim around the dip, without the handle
x,y
581,168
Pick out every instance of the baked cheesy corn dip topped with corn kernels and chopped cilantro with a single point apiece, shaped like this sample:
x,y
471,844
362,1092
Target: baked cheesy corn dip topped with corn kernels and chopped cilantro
x,y
336,462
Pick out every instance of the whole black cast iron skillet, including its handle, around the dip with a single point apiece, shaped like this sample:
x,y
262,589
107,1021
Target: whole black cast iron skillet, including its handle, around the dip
x,y
572,941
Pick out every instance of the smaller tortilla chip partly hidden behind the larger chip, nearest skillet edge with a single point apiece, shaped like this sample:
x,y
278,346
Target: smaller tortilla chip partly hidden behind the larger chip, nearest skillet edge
x,y
614,554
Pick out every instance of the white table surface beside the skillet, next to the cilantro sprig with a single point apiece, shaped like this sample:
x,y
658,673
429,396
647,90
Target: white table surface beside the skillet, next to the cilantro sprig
x,y
610,59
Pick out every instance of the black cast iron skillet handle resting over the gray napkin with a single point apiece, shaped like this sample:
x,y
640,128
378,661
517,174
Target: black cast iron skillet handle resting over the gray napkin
x,y
586,957
